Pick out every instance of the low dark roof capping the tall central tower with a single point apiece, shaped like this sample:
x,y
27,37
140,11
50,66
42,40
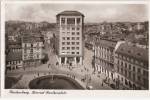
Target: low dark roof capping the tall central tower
x,y
69,13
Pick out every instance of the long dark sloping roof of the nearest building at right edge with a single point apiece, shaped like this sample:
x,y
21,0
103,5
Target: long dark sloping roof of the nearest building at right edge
x,y
133,51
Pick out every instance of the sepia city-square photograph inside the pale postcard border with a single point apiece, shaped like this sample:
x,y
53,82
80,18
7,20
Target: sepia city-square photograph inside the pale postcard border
x,y
76,46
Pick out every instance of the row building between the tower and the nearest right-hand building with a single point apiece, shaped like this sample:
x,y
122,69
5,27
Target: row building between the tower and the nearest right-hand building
x,y
104,57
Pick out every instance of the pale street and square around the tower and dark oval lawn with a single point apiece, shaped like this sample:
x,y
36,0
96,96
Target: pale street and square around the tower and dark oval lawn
x,y
80,72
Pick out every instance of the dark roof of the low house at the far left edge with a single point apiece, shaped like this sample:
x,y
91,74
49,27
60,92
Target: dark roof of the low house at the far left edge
x,y
14,56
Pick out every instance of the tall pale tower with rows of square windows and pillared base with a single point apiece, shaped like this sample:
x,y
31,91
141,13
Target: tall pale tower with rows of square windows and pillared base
x,y
70,46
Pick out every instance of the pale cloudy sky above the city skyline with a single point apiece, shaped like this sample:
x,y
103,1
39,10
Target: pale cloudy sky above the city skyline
x,y
92,12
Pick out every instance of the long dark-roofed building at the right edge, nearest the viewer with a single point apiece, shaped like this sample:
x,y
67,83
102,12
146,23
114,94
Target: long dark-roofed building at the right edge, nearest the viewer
x,y
131,64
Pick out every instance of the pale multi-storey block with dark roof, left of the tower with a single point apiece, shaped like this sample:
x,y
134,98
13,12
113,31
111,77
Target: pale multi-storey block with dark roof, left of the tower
x,y
32,50
